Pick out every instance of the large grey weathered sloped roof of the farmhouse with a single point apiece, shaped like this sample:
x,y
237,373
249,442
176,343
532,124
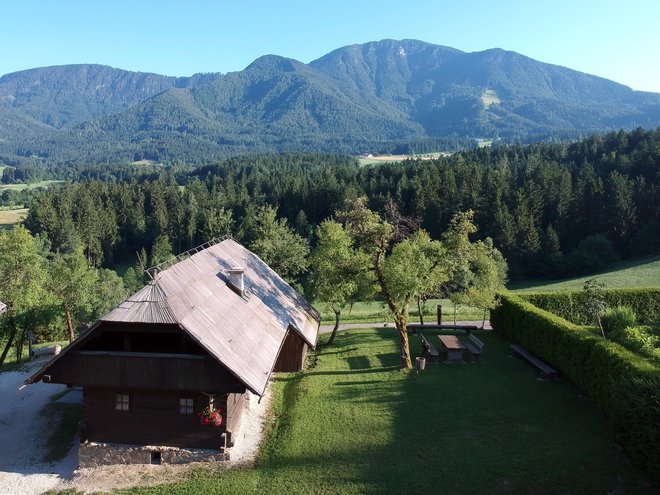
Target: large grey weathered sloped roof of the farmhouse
x,y
243,332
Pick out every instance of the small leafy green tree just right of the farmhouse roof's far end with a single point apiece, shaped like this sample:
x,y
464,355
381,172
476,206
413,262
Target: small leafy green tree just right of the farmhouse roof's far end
x,y
340,274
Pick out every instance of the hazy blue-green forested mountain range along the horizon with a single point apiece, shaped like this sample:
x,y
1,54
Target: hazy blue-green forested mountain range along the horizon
x,y
368,96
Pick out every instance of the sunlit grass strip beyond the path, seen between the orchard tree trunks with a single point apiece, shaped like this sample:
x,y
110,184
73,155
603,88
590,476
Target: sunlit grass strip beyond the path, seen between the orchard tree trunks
x,y
376,311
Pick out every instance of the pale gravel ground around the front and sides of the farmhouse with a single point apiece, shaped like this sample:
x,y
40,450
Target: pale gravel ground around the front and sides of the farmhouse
x,y
23,436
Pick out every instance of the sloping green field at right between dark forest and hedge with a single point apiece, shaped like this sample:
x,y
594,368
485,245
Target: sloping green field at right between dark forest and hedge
x,y
628,274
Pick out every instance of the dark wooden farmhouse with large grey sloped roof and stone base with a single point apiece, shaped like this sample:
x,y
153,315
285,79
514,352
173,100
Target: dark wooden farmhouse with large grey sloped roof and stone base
x,y
204,334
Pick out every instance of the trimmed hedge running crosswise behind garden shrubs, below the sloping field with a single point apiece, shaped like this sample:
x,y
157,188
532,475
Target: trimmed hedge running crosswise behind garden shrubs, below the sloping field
x,y
570,304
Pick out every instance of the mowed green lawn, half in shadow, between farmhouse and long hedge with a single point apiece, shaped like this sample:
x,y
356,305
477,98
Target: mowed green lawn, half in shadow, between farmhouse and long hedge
x,y
356,423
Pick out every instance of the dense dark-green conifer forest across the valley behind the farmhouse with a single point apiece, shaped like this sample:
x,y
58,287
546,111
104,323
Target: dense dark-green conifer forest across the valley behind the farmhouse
x,y
552,209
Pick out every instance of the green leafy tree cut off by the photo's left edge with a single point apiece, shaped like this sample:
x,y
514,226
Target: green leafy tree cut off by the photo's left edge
x,y
22,278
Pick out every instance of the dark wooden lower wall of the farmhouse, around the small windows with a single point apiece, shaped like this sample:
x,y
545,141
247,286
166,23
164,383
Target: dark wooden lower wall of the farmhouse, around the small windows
x,y
154,418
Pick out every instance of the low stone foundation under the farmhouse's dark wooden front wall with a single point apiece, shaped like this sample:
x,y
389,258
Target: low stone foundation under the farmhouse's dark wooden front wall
x,y
102,454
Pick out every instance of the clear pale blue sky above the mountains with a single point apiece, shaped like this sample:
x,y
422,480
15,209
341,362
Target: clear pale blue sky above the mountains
x,y
618,40
